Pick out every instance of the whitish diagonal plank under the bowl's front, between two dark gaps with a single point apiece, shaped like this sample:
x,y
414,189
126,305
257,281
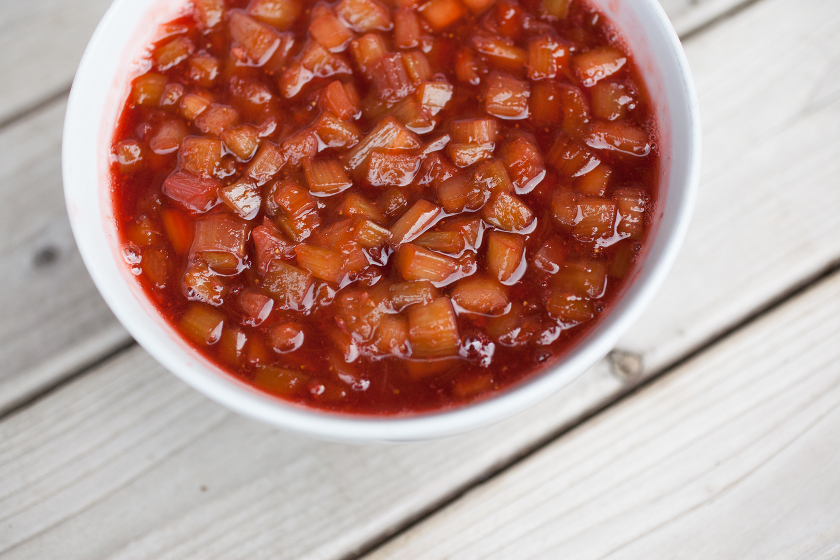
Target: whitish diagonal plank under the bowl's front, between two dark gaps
x,y
126,462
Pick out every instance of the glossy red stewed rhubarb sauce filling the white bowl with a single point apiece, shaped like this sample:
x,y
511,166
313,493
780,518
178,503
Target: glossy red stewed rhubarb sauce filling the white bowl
x,y
385,207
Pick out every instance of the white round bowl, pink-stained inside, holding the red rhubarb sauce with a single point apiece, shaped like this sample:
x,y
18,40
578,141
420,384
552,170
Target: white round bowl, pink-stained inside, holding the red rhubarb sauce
x,y
102,84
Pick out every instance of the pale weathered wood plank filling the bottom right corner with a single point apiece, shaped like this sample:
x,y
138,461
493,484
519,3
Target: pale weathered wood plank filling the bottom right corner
x,y
733,455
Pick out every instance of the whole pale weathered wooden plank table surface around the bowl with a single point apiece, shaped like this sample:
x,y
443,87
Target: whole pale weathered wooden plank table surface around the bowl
x,y
712,431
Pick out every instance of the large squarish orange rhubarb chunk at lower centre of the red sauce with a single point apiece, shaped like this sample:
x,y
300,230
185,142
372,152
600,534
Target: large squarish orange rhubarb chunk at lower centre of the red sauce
x,y
433,329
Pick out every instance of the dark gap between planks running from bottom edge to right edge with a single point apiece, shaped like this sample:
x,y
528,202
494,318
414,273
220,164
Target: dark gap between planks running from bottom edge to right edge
x,y
771,306
